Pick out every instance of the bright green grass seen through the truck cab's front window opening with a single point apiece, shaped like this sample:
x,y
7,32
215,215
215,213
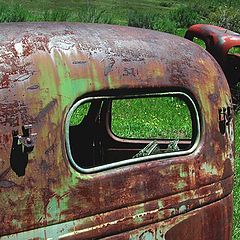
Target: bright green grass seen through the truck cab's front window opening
x,y
151,118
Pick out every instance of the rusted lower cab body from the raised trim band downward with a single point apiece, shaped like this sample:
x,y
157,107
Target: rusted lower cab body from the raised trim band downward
x,y
171,208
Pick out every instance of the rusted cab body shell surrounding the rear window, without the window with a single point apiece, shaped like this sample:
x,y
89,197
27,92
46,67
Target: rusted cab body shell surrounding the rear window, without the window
x,y
44,69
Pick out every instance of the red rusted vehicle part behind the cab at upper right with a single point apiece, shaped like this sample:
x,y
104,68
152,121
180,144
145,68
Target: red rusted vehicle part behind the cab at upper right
x,y
218,42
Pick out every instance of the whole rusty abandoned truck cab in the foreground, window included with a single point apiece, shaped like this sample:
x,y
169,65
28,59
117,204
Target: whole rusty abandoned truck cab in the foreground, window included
x,y
112,132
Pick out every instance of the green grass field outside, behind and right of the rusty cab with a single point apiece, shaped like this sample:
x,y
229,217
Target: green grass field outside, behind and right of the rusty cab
x,y
171,16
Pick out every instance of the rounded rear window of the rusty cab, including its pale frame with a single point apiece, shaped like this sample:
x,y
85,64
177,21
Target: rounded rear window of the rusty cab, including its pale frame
x,y
107,132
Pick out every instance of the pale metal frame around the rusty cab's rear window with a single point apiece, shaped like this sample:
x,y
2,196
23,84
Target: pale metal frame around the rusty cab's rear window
x,y
132,160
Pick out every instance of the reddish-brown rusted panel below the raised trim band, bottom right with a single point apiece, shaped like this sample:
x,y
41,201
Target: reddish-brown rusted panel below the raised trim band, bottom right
x,y
212,222
